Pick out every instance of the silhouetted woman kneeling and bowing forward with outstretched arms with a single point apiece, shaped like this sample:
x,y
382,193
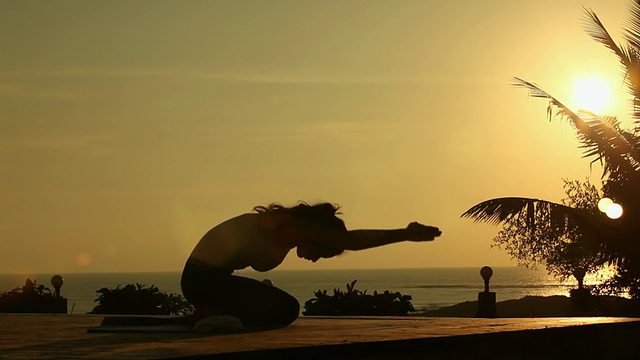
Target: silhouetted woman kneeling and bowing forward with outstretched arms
x,y
261,240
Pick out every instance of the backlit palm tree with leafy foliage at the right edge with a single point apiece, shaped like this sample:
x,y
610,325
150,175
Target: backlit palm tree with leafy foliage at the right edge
x,y
553,230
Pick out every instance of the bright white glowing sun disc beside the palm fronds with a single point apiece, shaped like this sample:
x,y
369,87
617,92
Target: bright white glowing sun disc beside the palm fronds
x,y
592,94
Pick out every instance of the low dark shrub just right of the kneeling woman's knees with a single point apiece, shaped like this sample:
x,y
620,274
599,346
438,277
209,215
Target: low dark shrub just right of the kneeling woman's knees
x,y
356,302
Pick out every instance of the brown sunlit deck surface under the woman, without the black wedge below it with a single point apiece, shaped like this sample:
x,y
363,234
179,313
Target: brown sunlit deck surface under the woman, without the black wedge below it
x,y
25,336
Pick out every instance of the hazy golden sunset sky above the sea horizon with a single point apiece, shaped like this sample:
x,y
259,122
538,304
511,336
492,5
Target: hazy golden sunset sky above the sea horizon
x,y
130,128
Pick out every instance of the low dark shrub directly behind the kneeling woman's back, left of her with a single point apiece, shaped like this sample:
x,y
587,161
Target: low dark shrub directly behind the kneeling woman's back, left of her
x,y
141,300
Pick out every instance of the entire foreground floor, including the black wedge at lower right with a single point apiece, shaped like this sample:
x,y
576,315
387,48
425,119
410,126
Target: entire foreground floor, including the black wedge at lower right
x,y
65,337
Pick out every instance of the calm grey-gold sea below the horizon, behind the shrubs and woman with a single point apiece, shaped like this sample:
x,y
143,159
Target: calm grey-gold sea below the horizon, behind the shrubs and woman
x,y
430,288
